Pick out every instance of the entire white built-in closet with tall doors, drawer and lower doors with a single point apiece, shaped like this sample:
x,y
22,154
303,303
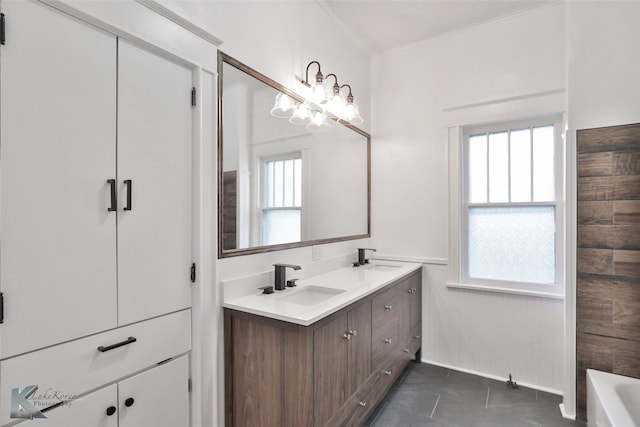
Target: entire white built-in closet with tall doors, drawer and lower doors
x,y
95,220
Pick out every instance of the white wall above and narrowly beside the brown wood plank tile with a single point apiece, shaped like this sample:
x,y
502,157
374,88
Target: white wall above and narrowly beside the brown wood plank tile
x,y
604,90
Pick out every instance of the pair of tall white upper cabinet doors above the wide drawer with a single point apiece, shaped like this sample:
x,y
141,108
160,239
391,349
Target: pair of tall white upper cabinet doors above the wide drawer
x,y
81,112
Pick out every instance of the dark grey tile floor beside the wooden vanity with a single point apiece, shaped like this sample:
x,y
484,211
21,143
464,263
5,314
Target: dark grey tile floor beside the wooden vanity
x,y
428,395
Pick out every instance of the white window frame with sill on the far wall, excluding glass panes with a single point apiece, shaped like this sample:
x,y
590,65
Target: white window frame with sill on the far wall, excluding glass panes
x,y
459,208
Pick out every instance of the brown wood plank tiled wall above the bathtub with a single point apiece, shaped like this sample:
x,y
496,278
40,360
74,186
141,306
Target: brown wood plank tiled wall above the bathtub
x,y
608,287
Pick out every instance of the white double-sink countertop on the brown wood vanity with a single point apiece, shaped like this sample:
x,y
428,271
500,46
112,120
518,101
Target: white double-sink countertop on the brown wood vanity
x,y
352,283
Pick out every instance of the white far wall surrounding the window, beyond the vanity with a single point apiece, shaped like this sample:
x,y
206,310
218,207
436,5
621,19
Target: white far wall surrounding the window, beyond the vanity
x,y
507,69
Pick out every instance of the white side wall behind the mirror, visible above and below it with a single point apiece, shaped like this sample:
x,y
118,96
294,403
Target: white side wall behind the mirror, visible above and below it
x,y
278,39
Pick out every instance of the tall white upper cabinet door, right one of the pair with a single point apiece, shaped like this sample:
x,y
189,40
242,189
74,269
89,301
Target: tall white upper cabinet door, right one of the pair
x,y
154,153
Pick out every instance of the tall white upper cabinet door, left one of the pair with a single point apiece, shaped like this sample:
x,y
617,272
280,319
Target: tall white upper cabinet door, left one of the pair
x,y
57,133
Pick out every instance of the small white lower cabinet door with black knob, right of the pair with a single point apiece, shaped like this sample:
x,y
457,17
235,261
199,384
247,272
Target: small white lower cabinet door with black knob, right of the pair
x,y
158,397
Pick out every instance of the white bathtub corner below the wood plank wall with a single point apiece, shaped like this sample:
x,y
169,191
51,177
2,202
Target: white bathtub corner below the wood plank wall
x,y
612,400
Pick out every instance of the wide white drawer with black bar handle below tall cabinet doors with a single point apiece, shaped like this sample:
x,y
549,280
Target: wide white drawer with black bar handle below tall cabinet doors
x,y
78,366
